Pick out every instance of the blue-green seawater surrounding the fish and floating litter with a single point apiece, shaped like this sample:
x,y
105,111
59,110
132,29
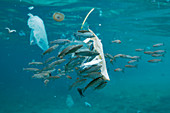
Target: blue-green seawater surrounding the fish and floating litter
x,y
138,24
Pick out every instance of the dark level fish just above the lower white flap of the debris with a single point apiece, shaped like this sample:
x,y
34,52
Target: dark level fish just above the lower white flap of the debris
x,y
86,53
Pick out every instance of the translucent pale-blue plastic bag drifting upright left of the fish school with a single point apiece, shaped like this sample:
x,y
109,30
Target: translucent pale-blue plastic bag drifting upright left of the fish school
x,y
38,34
